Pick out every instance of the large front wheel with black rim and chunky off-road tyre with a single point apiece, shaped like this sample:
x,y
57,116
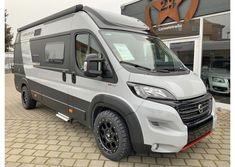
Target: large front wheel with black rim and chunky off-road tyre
x,y
112,135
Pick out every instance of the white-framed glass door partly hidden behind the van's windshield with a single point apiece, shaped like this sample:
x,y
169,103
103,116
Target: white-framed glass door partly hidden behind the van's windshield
x,y
188,52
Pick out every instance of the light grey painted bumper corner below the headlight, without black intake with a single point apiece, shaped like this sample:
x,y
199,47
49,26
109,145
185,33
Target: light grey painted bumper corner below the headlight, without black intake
x,y
169,125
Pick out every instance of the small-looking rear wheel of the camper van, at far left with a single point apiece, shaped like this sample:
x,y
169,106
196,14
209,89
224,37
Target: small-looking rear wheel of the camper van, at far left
x,y
27,101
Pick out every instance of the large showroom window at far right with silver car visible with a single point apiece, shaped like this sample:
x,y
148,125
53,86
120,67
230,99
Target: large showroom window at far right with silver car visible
x,y
216,56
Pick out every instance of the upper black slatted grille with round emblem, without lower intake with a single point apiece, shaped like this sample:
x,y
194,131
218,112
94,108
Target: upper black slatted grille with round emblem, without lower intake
x,y
195,110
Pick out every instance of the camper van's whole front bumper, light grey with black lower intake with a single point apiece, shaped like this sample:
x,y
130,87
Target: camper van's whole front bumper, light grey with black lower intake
x,y
164,131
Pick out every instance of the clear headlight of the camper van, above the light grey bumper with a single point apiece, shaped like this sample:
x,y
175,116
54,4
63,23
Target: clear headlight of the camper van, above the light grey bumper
x,y
145,92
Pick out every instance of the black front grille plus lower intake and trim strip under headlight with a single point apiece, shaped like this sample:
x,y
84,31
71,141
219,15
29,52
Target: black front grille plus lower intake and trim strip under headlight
x,y
198,120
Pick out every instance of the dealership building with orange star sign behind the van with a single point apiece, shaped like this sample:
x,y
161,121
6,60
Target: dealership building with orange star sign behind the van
x,y
198,31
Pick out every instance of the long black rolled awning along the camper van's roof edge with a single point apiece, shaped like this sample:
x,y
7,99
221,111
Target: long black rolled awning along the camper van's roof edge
x,y
62,13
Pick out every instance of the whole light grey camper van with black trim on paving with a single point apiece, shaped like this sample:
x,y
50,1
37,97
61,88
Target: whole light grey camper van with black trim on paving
x,y
110,73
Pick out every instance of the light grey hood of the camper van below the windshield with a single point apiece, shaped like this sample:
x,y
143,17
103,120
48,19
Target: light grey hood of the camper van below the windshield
x,y
181,86
